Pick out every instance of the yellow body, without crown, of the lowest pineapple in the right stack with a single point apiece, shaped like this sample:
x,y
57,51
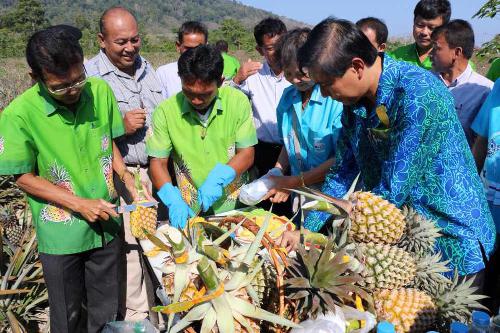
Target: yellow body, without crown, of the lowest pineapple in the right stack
x,y
410,310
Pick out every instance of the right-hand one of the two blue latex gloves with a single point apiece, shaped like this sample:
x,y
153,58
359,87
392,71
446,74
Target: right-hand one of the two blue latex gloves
x,y
213,187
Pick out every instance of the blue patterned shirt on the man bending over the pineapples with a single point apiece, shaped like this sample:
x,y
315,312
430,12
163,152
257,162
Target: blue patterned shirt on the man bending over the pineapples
x,y
422,160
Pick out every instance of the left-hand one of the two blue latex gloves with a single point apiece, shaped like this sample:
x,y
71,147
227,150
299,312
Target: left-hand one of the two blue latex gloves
x,y
178,210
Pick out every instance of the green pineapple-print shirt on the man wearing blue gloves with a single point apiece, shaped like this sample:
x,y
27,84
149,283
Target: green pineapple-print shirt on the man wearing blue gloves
x,y
197,148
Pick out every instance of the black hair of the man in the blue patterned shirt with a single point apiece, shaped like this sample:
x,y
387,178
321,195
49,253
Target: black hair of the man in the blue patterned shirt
x,y
331,46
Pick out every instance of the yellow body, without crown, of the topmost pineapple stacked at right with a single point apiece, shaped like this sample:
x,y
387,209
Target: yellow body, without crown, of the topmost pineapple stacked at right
x,y
374,219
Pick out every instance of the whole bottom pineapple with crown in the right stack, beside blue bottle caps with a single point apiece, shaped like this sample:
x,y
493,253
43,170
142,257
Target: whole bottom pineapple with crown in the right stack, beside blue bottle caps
x,y
412,310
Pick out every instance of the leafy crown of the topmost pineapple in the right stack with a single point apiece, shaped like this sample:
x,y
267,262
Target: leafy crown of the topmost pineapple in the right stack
x,y
420,235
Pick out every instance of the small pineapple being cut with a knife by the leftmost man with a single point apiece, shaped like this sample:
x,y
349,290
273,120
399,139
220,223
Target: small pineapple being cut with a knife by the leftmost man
x,y
142,218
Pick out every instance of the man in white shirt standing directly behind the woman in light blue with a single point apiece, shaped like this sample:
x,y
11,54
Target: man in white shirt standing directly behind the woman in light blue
x,y
264,84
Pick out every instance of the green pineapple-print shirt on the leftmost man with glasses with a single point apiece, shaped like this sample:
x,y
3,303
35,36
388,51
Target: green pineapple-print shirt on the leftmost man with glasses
x,y
72,150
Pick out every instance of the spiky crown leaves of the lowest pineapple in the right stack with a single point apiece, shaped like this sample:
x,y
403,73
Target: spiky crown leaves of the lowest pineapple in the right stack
x,y
456,300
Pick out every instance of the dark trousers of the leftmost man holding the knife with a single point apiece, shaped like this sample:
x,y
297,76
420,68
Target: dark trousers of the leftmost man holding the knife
x,y
83,288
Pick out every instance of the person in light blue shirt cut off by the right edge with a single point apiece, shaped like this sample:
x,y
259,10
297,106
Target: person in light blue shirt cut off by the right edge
x,y
487,155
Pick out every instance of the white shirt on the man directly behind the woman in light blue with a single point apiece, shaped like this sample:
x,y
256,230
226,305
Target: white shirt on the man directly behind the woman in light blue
x,y
265,89
